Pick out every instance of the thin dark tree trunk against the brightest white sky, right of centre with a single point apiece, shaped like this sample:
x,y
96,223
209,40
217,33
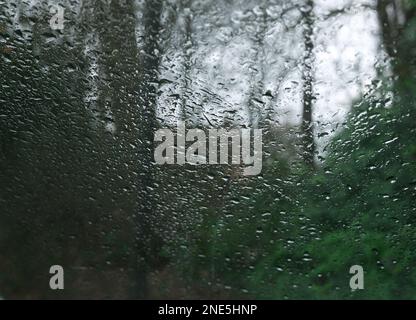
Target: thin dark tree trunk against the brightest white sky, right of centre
x,y
308,78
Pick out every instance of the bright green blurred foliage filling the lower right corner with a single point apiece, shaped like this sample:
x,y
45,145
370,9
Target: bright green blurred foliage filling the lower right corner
x,y
358,208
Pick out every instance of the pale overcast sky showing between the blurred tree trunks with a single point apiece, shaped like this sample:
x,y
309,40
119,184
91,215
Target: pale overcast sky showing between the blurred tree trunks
x,y
226,60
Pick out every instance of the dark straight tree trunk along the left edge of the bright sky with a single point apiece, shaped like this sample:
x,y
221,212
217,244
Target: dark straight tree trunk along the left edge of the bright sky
x,y
149,242
